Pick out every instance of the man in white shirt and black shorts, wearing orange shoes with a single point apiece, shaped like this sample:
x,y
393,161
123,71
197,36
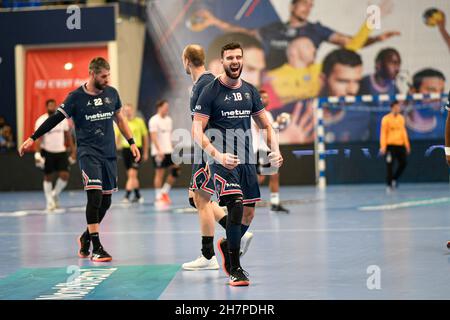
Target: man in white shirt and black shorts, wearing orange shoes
x,y
160,128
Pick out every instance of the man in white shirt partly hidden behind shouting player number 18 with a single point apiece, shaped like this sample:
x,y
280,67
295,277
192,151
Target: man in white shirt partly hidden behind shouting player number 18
x,y
263,167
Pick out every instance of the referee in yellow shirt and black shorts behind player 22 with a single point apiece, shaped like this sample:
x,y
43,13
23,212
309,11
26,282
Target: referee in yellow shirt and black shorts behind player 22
x,y
140,134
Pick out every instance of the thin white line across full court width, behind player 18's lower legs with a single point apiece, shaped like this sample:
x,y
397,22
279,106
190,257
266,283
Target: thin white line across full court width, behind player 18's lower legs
x,y
256,231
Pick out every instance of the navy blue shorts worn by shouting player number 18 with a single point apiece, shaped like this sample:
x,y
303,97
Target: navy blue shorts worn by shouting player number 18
x,y
241,180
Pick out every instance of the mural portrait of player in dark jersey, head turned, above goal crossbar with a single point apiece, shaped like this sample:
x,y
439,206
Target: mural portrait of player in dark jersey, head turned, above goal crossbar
x,y
387,68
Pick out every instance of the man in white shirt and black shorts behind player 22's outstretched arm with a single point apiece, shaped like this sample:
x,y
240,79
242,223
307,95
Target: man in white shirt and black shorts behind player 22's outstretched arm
x,y
51,156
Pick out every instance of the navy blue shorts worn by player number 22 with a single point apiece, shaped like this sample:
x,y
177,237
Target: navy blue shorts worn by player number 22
x,y
99,174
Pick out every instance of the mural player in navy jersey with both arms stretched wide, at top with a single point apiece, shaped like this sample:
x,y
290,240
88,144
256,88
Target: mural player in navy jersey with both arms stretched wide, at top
x,y
277,36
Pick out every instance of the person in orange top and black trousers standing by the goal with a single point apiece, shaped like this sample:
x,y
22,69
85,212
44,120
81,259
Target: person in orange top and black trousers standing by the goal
x,y
394,144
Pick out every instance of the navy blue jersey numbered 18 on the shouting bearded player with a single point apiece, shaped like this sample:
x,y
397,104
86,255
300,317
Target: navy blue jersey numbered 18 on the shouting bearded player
x,y
229,111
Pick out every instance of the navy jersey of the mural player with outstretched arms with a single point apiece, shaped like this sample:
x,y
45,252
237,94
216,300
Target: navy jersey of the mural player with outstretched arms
x,y
277,36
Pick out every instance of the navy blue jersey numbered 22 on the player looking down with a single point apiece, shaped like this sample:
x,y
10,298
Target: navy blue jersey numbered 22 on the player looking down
x,y
93,117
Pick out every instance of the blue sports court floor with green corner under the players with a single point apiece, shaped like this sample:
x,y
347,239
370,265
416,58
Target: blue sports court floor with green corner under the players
x,y
349,242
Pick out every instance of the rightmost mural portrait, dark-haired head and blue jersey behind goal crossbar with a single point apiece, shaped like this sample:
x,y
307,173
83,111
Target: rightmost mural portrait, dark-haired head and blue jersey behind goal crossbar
x,y
428,122
